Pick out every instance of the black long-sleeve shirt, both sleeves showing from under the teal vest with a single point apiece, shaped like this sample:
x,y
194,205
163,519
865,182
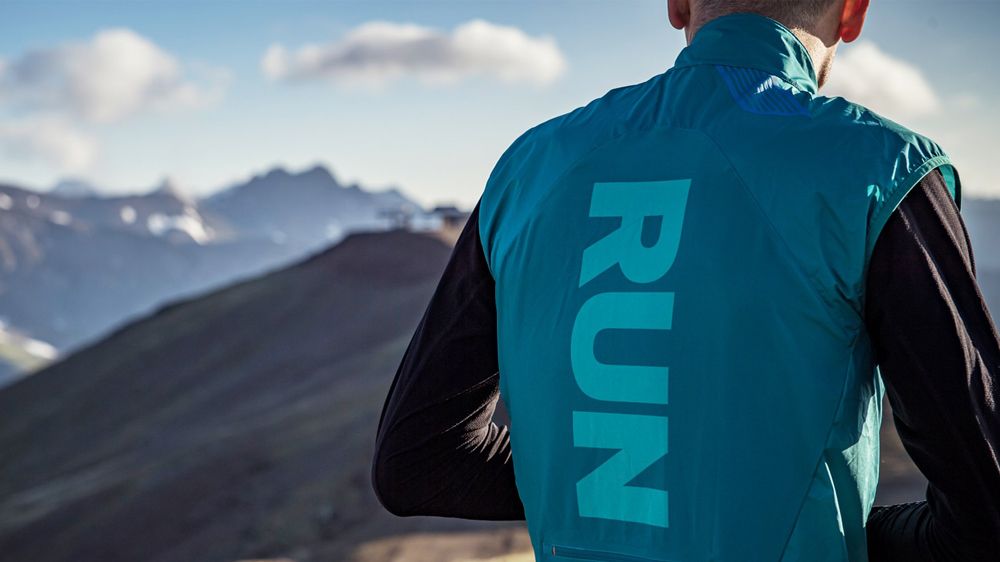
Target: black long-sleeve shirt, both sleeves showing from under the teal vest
x,y
439,452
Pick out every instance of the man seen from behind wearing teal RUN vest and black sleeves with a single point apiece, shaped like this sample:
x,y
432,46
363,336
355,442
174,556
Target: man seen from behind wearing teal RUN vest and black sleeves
x,y
682,291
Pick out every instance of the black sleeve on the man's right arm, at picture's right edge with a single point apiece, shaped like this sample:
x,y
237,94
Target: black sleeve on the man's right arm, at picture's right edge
x,y
939,356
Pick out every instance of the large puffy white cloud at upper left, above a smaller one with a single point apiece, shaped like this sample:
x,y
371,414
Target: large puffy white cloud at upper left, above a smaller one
x,y
115,74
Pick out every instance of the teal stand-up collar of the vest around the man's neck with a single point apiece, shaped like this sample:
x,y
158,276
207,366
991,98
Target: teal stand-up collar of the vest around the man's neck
x,y
752,41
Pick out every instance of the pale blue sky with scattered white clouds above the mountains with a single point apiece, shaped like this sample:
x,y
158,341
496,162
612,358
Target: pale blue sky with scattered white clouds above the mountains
x,y
419,95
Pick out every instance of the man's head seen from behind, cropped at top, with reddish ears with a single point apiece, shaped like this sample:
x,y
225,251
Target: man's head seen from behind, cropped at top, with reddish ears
x,y
819,24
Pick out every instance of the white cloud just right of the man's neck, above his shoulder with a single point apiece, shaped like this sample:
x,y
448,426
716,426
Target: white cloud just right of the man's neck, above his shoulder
x,y
866,75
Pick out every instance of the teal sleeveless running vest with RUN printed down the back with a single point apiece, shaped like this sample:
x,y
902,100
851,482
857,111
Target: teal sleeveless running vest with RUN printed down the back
x,y
680,271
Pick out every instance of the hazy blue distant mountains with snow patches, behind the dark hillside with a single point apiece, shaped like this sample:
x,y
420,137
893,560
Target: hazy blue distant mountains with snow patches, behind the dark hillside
x,y
73,263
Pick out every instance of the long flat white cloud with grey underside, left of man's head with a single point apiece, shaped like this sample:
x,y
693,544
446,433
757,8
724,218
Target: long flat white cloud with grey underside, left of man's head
x,y
377,53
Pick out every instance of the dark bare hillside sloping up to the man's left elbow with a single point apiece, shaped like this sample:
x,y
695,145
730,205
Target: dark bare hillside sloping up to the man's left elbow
x,y
235,425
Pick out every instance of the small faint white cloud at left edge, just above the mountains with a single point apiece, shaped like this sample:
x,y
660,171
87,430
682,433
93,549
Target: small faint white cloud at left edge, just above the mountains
x,y
50,140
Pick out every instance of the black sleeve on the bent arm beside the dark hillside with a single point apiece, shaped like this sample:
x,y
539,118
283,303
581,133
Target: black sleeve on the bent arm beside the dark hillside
x,y
437,451
